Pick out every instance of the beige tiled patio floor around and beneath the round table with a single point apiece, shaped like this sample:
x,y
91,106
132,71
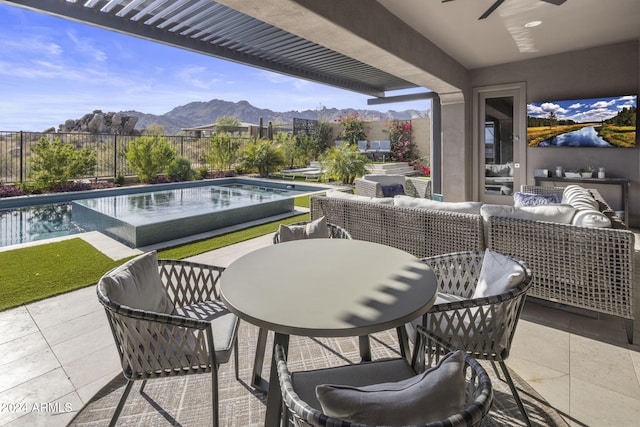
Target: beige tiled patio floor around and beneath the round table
x,y
60,350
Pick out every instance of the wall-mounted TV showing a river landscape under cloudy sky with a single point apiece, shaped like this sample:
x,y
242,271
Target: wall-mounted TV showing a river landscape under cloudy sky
x,y
590,122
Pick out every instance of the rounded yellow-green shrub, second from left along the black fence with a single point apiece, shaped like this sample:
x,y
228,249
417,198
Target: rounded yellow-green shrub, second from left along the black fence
x,y
149,156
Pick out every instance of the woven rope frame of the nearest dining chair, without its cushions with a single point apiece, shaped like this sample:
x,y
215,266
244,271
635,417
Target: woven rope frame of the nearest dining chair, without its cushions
x,y
428,352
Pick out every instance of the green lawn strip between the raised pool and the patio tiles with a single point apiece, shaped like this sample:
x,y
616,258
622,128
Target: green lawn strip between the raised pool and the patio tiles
x,y
38,272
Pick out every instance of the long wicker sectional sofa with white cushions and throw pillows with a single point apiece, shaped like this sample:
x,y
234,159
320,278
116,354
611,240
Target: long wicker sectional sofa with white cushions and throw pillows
x,y
586,267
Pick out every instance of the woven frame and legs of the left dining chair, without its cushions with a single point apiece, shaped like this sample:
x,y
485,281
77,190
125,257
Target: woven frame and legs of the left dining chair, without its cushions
x,y
157,345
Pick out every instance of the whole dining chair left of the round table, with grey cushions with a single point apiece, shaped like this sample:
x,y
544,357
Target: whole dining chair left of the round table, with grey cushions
x,y
167,320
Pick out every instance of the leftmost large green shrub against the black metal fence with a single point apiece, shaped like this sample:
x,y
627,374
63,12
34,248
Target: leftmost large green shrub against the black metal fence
x,y
54,163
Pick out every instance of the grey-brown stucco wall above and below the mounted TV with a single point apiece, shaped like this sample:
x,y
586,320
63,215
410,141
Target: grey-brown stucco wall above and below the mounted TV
x,y
612,70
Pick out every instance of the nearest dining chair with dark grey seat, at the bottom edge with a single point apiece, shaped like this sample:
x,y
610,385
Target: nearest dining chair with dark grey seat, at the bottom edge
x,y
470,388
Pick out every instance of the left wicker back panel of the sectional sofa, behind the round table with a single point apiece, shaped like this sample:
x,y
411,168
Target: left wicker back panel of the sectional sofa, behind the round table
x,y
403,227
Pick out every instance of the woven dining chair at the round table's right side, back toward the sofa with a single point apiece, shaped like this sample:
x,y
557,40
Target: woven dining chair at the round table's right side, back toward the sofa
x,y
482,326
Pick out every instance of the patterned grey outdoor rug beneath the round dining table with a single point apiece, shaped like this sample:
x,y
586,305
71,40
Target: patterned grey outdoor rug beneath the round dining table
x,y
186,401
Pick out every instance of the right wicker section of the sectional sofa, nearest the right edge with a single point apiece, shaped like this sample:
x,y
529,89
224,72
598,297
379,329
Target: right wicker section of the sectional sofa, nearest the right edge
x,y
582,267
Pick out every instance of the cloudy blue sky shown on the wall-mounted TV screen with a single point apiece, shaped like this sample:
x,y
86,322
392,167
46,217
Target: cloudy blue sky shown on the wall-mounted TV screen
x,y
582,110
